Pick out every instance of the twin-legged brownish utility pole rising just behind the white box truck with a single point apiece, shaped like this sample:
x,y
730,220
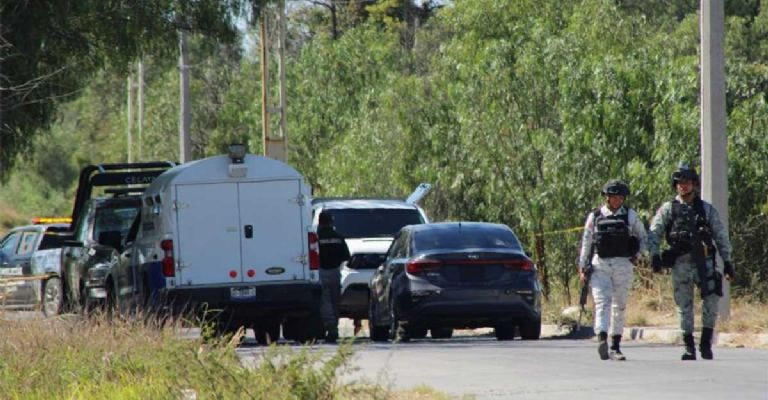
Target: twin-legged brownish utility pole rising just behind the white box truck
x,y
274,146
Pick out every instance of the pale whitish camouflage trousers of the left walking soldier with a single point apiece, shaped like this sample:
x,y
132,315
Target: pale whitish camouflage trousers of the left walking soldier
x,y
611,280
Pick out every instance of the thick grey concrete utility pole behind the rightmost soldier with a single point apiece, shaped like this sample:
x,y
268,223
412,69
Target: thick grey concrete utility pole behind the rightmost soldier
x,y
714,149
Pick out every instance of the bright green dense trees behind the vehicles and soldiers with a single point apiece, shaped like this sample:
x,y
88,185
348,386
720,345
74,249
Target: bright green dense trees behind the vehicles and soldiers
x,y
516,111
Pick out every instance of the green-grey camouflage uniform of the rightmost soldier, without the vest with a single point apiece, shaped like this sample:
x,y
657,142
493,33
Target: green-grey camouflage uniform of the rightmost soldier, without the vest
x,y
684,272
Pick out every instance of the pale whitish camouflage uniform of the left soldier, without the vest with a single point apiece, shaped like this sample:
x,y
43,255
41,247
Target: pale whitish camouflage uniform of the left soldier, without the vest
x,y
611,277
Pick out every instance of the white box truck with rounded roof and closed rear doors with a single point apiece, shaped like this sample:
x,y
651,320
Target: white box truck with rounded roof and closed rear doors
x,y
231,235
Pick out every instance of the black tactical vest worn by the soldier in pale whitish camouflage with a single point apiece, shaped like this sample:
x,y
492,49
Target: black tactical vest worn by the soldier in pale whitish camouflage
x,y
612,237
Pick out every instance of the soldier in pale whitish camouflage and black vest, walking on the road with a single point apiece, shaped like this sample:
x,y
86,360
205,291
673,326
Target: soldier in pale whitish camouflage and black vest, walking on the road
x,y
614,238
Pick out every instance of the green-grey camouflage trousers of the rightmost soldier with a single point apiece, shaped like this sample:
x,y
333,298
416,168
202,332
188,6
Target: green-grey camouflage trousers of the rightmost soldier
x,y
685,276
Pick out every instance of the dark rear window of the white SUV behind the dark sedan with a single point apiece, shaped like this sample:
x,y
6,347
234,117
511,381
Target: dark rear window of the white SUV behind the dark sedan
x,y
373,222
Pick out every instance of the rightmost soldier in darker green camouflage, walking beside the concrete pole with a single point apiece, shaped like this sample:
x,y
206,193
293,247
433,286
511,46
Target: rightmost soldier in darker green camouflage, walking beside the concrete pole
x,y
692,229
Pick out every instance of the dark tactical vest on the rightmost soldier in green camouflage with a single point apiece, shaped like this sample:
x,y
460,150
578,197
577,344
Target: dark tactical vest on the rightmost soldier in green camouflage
x,y
684,220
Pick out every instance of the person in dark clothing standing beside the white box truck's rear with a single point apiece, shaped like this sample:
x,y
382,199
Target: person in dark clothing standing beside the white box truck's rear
x,y
333,251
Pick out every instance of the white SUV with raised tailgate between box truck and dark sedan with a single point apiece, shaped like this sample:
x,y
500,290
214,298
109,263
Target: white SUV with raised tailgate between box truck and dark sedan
x,y
368,225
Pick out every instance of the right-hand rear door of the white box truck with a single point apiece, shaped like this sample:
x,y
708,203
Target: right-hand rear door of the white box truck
x,y
272,231
